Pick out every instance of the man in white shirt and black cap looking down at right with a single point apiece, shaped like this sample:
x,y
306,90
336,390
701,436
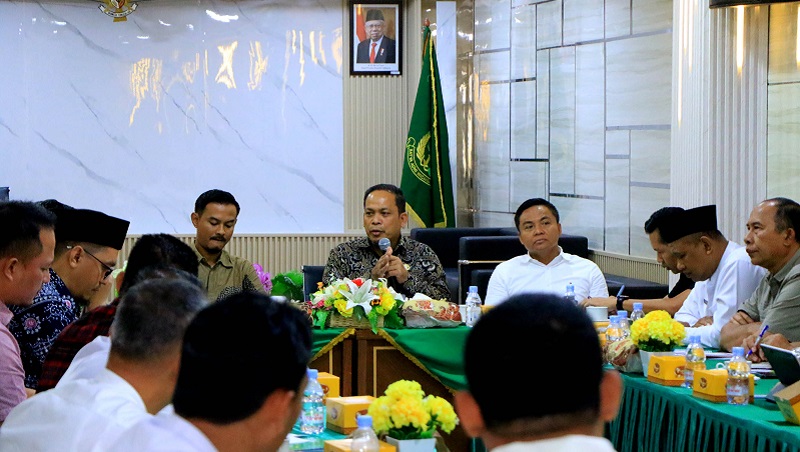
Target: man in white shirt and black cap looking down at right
x,y
721,269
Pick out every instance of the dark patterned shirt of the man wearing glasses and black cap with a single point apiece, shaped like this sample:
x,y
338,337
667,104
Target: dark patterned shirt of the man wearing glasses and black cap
x,y
36,326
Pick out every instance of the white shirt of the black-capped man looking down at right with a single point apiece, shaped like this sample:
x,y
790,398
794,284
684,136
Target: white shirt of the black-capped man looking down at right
x,y
721,295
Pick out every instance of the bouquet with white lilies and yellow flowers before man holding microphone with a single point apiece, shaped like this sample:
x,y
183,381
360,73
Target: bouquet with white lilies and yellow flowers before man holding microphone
x,y
357,299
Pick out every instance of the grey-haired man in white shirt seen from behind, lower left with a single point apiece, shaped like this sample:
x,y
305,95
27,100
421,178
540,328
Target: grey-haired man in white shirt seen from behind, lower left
x,y
138,381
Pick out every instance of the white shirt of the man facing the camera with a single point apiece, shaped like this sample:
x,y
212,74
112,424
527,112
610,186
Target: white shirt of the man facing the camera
x,y
524,274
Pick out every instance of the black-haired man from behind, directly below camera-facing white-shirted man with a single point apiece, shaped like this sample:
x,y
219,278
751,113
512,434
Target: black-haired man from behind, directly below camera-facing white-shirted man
x,y
507,419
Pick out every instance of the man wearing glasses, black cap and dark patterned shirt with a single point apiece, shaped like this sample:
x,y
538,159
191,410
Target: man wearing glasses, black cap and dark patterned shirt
x,y
87,245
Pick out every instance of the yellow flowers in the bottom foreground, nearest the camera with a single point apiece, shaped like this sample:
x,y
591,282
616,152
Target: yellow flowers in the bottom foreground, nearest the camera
x,y
404,412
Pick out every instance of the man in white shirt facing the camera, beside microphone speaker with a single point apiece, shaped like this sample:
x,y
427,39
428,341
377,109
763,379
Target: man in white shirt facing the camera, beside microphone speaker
x,y
546,268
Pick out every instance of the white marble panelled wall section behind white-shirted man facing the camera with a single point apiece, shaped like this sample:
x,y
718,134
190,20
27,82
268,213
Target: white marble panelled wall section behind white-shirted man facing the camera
x,y
589,109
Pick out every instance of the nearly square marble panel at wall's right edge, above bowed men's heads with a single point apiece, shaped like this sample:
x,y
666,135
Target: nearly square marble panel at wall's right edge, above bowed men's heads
x,y
650,156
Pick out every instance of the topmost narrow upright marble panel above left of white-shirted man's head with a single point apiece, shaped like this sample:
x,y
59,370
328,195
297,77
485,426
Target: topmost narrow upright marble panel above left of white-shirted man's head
x,y
523,42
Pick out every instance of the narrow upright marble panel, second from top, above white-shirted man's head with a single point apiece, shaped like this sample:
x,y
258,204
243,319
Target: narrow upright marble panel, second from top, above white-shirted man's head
x,y
523,120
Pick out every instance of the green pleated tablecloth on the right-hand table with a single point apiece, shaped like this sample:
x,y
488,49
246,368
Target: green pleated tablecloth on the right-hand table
x,y
655,418
